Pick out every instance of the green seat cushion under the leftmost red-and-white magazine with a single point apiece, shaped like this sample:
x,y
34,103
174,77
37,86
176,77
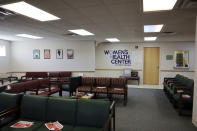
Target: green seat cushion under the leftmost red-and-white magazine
x,y
34,127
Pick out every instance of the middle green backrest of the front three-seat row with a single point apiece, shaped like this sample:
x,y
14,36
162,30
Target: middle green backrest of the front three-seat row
x,y
61,109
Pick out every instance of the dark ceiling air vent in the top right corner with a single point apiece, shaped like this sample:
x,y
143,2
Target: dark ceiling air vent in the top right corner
x,y
186,4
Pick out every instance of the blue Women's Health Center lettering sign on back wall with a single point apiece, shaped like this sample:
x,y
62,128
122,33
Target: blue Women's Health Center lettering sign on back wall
x,y
119,57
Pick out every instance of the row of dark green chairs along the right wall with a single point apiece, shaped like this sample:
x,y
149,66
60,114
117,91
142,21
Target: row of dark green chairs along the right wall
x,y
180,92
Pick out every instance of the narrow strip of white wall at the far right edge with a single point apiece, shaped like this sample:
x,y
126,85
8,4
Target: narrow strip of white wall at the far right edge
x,y
195,85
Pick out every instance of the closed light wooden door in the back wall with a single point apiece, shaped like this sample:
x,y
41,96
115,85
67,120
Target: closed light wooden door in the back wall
x,y
151,65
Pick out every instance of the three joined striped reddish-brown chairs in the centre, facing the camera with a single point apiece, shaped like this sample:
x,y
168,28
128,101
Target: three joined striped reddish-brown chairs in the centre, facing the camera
x,y
104,85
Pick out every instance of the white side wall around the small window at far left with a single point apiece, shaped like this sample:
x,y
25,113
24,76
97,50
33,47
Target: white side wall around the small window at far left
x,y
5,60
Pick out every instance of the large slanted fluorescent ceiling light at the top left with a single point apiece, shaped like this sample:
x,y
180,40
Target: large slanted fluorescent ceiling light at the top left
x,y
28,10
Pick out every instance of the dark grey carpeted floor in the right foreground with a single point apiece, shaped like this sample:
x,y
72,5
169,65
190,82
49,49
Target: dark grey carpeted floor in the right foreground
x,y
150,110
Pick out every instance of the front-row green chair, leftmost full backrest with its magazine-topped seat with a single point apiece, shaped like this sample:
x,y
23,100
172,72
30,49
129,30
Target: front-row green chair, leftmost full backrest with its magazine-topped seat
x,y
33,109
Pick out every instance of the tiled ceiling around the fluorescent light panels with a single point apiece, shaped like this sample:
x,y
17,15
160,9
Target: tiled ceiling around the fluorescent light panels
x,y
123,19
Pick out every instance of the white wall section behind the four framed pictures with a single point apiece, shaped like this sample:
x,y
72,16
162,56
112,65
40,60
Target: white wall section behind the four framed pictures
x,y
22,56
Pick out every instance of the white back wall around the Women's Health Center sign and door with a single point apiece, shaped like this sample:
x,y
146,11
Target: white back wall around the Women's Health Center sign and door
x,y
103,61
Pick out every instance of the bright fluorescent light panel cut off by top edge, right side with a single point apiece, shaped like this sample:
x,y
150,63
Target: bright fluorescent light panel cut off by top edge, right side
x,y
157,5
